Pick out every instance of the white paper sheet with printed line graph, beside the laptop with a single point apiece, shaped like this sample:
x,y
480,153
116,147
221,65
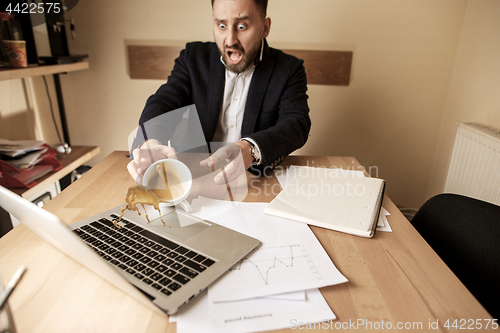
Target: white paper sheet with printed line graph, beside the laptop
x,y
289,259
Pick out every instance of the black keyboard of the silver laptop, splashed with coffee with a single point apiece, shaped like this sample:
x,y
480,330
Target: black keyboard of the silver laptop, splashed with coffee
x,y
156,261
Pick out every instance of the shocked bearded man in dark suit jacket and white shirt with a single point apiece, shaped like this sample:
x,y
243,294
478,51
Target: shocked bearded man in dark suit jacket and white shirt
x,y
244,92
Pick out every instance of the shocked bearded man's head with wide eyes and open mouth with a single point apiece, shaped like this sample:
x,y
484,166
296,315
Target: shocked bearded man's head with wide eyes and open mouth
x,y
239,28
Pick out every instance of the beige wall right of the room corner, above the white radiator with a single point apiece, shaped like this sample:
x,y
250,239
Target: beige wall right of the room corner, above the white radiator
x,y
473,91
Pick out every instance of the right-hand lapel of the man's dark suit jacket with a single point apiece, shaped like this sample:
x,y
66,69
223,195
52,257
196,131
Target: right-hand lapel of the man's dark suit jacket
x,y
258,87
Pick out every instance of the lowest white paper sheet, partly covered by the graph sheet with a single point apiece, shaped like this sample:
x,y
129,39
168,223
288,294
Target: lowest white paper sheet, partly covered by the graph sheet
x,y
253,315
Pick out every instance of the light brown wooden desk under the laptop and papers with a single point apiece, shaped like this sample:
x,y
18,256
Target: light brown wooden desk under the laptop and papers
x,y
394,277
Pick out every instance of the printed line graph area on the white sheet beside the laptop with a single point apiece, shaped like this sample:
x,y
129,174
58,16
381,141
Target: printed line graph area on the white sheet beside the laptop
x,y
274,265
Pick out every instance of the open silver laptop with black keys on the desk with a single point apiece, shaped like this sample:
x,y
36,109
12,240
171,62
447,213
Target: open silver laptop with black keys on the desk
x,y
165,265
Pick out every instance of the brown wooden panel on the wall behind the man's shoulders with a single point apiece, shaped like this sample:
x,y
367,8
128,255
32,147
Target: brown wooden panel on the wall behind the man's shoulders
x,y
322,67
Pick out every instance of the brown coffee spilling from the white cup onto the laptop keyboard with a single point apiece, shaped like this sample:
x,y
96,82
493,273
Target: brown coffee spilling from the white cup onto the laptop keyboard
x,y
161,188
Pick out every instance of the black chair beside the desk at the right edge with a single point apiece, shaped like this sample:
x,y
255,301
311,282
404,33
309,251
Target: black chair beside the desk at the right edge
x,y
465,233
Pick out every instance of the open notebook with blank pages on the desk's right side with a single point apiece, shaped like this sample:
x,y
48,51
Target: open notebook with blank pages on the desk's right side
x,y
331,198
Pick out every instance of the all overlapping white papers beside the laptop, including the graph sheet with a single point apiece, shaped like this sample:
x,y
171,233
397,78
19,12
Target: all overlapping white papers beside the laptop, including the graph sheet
x,y
274,287
